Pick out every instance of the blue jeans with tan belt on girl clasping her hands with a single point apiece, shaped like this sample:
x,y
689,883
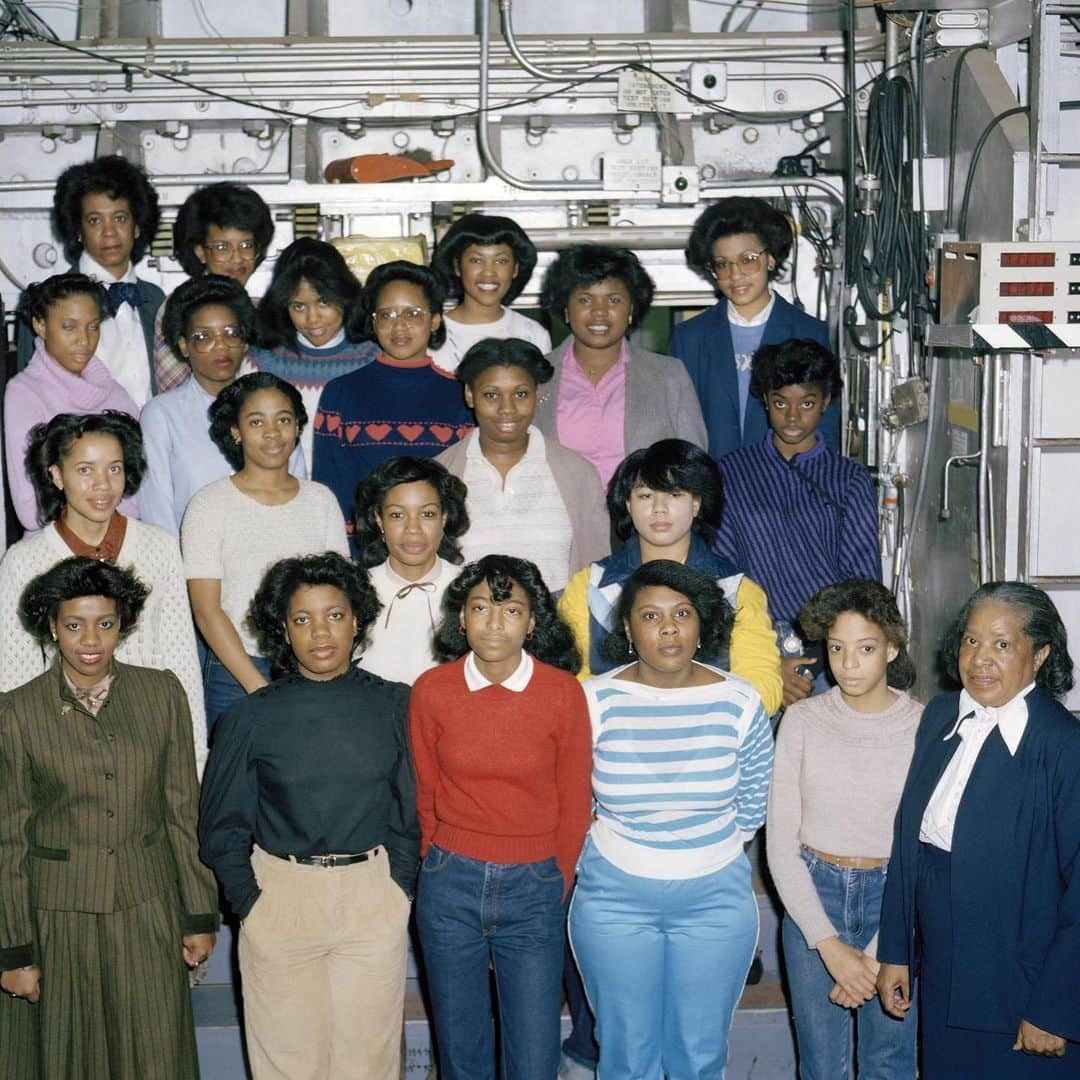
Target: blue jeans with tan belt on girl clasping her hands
x,y
886,1047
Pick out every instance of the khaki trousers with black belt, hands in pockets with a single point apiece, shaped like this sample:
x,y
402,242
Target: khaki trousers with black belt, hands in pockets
x,y
322,963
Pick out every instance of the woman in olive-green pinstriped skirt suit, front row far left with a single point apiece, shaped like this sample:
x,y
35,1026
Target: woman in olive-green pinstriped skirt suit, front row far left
x,y
104,903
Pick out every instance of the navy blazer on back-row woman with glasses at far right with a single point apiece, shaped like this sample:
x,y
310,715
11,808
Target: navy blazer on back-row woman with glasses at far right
x,y
705,346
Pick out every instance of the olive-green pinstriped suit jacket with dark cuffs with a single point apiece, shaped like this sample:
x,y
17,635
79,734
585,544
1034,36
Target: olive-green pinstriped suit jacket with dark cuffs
x,y
98,814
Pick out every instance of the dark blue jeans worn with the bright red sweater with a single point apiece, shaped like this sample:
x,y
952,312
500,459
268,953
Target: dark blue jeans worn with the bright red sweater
x,y
470,916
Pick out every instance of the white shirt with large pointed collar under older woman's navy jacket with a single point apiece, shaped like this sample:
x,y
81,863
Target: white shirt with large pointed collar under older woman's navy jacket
x,y
975,724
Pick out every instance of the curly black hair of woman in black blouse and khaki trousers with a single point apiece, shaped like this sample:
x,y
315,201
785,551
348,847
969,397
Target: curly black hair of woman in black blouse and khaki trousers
x,y
269,609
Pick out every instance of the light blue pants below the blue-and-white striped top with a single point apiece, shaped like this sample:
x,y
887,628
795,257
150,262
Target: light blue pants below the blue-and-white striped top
x,y
664,964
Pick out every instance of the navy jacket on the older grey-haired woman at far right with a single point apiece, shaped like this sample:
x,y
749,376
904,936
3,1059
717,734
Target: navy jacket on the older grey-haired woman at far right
x,y
1016,872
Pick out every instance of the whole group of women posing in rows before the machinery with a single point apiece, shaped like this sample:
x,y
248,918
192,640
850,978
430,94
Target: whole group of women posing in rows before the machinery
x,y
388,657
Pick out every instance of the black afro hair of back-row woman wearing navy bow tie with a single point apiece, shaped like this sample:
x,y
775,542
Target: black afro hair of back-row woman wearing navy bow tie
x,y
117,179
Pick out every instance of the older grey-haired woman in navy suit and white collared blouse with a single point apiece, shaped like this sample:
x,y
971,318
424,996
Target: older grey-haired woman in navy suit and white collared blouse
x,y
982,899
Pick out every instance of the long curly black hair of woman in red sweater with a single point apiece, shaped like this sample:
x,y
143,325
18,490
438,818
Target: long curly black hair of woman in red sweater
x,y
552,641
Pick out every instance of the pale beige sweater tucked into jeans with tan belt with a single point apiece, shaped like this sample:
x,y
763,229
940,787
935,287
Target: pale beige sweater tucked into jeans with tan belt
x,y
836,785
